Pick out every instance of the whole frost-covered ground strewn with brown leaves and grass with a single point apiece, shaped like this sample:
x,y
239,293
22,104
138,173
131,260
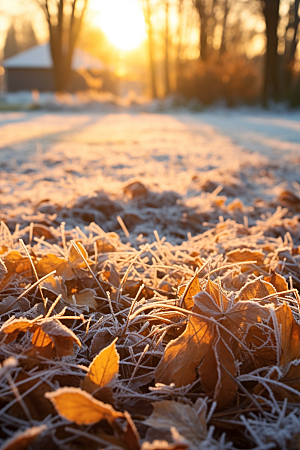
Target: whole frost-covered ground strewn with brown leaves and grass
x,y
200,203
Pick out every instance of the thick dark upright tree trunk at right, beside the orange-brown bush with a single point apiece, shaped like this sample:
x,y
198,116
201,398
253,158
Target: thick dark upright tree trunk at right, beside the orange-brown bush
x,y
271,78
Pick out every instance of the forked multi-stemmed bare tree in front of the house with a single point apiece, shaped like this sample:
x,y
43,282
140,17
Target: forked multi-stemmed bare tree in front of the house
x,y
64,19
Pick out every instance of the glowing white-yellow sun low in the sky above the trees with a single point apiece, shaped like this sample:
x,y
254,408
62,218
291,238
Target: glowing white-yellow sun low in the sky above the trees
x,y
122,21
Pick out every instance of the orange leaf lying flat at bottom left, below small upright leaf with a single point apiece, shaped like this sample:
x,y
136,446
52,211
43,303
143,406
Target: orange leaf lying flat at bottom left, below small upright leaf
x,y
80,407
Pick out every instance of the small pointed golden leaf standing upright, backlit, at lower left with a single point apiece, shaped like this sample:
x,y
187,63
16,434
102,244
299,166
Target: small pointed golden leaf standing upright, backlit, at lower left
x,y
103,370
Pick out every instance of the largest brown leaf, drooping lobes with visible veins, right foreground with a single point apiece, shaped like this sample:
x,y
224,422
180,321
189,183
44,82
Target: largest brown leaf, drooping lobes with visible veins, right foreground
x,y
206,344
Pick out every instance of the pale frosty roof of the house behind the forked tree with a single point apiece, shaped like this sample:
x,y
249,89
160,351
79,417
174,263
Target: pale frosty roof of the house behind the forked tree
x,y
39,57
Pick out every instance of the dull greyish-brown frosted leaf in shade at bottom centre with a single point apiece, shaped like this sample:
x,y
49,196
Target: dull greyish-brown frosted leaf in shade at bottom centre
x,y
183,417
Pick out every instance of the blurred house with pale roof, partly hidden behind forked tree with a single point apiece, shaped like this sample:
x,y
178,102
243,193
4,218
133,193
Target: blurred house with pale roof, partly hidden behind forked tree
x,y
32,70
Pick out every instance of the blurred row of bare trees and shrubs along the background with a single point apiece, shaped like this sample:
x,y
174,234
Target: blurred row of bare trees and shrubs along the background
x,y
223,37
